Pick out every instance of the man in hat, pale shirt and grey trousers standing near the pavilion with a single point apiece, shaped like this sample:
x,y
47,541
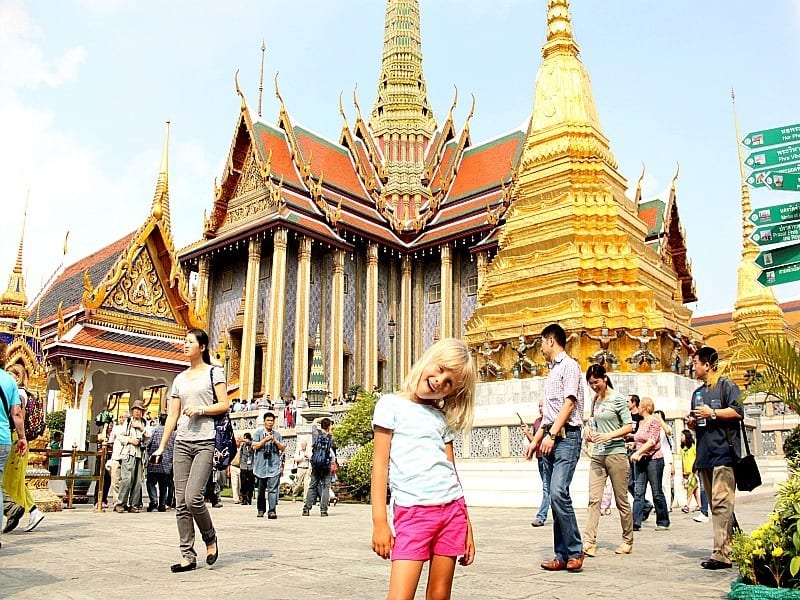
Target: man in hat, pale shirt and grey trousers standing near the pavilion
x,y
133,441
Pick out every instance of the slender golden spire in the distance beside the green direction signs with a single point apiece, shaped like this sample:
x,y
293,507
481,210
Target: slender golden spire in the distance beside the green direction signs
x,y
756,309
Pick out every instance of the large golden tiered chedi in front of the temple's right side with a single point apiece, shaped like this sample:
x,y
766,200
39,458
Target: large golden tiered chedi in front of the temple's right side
x,y
572,249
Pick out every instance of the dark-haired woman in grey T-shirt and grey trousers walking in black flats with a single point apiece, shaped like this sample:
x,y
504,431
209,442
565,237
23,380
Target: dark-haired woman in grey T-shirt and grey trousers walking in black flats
x,y
198,394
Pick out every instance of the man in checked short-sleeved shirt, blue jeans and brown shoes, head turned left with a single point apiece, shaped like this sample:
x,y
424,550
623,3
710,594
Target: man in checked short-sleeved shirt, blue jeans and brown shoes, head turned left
x,y
559,438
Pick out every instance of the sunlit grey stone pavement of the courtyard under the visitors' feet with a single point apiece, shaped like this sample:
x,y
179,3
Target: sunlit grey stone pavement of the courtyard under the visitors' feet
x,y
81,554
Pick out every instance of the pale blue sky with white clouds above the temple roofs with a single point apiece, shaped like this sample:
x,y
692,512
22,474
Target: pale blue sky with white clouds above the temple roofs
x,y
86,85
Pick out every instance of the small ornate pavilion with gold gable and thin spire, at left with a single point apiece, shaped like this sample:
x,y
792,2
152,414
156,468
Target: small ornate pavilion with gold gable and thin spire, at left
x,y
111,326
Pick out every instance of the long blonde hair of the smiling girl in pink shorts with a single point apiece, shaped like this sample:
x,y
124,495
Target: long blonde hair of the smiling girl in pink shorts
x,y
453,355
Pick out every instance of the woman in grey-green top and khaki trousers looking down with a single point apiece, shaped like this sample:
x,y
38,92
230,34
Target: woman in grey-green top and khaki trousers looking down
x,y
610,422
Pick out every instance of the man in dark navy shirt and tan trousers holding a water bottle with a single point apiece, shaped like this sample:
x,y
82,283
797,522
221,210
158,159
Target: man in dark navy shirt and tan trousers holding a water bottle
x,y
716,413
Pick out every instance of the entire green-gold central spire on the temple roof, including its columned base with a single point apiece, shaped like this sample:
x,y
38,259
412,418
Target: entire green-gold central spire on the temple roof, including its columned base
x,y
402,120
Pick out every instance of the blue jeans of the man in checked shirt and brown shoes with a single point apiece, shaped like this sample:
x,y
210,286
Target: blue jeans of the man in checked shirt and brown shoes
x,y
563,459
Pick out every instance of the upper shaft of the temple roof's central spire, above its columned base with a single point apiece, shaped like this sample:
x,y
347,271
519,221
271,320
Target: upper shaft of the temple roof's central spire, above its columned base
x,y
402,102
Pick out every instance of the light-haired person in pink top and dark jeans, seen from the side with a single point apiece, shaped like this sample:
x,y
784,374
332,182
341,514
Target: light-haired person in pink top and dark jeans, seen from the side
x,y
648,464
